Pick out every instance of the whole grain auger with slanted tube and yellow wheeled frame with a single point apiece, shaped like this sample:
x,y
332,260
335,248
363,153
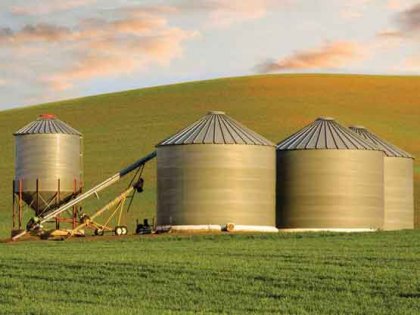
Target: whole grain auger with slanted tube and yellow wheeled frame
x,y
115,207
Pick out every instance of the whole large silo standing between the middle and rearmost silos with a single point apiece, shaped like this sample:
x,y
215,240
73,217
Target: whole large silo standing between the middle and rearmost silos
x,y
329,178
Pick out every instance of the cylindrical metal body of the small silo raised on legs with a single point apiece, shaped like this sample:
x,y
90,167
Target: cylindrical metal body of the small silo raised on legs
x,y
48,157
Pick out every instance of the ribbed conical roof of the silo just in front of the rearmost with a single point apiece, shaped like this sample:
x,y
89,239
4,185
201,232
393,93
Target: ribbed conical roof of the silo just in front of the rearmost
x,y
325,133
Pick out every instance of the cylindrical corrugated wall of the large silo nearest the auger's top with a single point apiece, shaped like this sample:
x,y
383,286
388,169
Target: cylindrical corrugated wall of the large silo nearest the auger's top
x,y
216,184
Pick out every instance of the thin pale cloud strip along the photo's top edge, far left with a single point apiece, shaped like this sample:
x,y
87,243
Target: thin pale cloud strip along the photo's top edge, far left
x,y
49,6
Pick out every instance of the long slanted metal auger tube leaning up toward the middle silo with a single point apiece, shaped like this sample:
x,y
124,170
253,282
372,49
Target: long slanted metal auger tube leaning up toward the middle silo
x,y
106,183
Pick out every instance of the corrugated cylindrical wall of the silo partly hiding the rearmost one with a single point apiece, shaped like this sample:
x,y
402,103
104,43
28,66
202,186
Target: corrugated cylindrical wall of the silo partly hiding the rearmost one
x,y
330,189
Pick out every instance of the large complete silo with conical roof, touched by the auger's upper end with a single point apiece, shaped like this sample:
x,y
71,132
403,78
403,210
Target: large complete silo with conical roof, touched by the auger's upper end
x,y
216,172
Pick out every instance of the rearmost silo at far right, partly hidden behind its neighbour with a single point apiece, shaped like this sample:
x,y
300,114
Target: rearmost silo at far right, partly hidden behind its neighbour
x,y
398,182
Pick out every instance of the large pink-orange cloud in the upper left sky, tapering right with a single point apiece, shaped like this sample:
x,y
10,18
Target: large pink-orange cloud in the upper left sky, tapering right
x,y
118,48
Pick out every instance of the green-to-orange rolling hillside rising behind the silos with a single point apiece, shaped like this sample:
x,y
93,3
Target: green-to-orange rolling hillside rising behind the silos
x,y
119,128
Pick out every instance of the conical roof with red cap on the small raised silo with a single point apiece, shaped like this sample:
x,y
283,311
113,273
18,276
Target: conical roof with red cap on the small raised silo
x,y
47,124
